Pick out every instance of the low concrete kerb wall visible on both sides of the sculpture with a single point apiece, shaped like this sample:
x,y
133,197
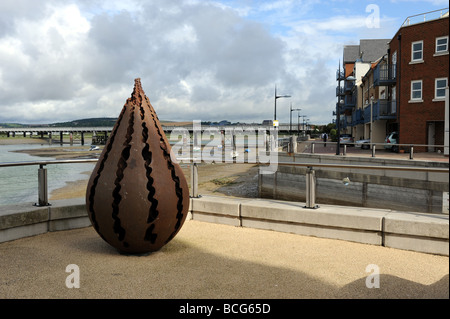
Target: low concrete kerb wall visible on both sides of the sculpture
x,y
428,233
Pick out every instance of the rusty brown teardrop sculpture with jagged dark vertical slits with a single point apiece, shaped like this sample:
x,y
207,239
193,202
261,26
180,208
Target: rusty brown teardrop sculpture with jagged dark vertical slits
x,y
137,198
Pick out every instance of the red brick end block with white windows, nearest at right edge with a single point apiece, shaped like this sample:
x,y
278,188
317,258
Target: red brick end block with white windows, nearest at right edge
x,y
420,52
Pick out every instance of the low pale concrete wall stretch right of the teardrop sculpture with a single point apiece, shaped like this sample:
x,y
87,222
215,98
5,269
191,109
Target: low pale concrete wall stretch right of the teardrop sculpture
x,y
426,233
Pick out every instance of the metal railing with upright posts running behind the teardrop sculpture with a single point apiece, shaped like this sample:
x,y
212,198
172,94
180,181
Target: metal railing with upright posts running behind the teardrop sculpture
x,y
194,193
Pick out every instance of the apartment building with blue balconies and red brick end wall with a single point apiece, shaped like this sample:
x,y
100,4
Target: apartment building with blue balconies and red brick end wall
x,y
404,89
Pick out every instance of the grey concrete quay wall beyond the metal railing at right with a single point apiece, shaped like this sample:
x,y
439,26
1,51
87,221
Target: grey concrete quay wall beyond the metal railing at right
x,y
398,190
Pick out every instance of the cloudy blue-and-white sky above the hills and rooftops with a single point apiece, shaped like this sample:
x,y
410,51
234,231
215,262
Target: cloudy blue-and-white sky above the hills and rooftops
x,y
197,60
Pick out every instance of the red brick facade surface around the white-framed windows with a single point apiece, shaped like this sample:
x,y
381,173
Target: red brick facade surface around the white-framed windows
x,y
412,117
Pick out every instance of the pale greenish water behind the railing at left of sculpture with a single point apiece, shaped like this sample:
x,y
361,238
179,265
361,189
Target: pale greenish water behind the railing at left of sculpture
x,y
19,184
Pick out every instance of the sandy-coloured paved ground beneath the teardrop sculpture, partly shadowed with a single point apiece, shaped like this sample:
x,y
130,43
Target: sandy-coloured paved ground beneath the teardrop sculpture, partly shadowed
x,y
218,261
